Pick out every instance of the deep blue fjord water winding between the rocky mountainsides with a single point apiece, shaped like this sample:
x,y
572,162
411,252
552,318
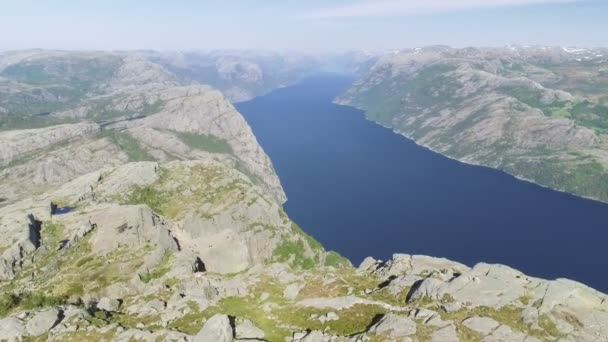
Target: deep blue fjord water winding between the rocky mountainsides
x,y
362,190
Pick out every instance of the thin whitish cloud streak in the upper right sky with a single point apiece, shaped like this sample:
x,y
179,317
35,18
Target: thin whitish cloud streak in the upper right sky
x,y
385,8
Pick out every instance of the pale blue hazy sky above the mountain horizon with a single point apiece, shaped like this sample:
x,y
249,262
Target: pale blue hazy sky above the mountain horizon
x,y
299,25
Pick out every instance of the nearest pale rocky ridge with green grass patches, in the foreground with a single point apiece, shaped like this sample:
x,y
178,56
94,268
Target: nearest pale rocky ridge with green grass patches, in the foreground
x,y
193,250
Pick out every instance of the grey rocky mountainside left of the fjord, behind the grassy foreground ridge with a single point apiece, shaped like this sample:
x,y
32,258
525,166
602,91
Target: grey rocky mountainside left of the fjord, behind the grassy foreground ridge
x,y
132,110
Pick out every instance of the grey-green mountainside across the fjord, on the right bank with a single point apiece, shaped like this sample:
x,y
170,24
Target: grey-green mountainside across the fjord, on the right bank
x,y
537,113
